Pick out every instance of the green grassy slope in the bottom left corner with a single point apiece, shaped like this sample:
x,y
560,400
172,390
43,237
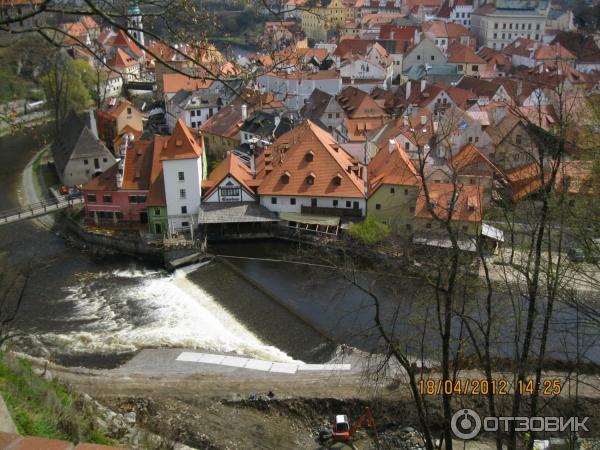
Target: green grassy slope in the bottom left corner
x,y
45,408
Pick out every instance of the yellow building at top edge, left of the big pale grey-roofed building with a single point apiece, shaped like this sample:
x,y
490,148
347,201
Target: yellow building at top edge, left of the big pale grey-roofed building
x,y
322,20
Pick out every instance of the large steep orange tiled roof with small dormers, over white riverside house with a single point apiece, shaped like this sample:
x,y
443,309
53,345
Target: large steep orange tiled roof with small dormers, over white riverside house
x,y
329,161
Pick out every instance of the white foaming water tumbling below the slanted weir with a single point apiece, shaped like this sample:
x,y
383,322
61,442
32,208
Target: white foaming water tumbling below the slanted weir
x,y
125,310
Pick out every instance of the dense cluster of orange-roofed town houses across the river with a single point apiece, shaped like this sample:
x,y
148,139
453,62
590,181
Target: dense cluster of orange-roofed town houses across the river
x,y
356,106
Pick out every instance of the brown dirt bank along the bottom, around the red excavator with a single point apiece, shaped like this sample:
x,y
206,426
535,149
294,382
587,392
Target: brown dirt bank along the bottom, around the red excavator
x,y
211,411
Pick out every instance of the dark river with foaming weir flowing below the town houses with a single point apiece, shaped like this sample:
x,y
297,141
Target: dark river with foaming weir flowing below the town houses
x,y
97,311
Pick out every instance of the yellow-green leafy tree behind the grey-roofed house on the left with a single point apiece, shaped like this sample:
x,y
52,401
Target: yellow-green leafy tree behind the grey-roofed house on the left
x,y
65,87
